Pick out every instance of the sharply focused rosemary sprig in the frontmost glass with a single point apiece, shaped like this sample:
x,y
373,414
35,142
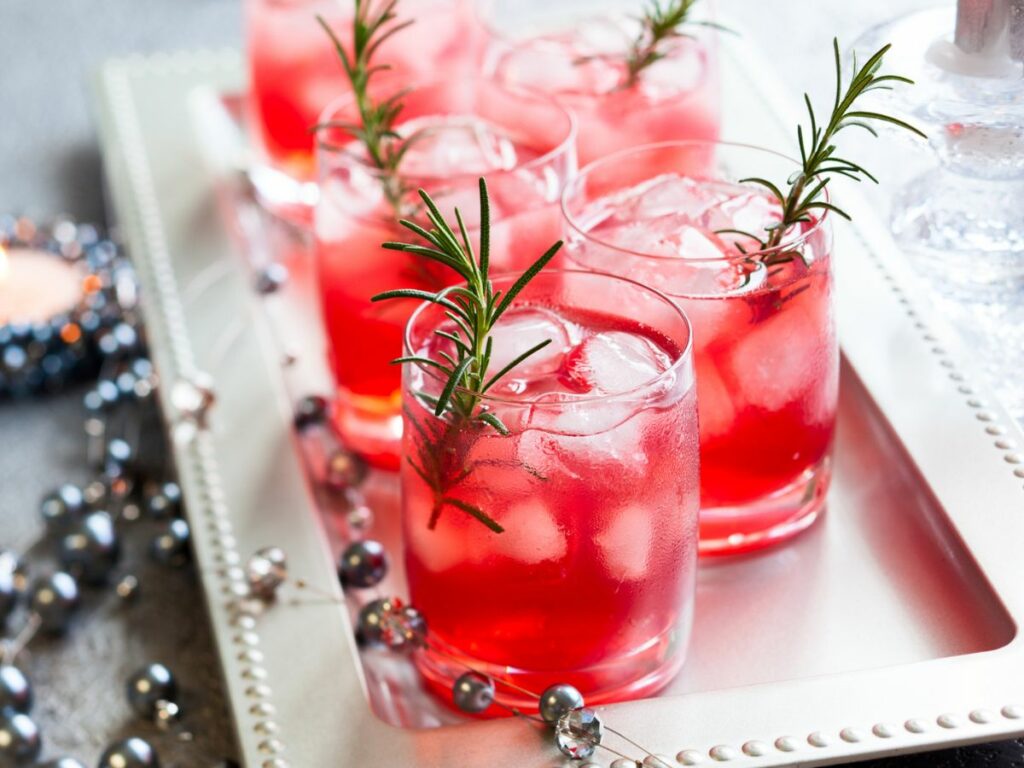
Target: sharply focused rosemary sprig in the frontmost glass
x,y
474,310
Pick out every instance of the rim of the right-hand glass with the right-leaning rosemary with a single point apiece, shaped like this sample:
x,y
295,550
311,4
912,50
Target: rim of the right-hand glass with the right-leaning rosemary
x,y
574,186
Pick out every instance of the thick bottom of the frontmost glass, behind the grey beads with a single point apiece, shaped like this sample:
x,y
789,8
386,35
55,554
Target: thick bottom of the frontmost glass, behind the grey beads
x,y
639,674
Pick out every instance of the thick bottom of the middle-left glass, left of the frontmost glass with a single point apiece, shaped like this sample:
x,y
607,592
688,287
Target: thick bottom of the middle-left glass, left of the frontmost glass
x,y
370,428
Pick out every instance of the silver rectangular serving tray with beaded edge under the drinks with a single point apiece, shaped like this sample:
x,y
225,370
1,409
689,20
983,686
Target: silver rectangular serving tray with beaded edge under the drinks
x,y
890,627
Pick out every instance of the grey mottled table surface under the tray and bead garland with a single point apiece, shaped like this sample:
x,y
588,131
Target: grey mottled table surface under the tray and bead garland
x,y
50,164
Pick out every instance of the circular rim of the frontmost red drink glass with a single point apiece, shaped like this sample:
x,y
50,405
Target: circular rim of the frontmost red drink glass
x,y
686,355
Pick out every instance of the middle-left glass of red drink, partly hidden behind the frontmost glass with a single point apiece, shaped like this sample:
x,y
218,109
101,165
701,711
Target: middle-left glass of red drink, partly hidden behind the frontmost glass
x,y
524,145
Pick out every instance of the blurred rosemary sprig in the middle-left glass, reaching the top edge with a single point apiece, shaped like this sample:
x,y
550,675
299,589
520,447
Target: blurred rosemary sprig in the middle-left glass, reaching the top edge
x,y
376,127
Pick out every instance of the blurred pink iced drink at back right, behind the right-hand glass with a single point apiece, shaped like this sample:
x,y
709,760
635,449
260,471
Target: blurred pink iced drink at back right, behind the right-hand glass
x,y
584,67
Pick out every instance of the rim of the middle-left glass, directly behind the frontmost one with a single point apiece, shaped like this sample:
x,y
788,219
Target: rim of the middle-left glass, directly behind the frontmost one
x,y
567,145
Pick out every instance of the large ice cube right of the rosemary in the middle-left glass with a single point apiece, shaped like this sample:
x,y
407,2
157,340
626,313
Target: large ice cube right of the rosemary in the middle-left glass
x,y
449,146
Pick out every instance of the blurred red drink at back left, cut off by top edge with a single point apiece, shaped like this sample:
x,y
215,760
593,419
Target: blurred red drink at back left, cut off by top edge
x,y
295,73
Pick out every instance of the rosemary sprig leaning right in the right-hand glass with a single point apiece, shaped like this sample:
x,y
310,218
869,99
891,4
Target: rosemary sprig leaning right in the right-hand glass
x,y
820,163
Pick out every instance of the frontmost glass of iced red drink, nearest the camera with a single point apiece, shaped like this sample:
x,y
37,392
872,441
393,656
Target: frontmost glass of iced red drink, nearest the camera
x,y
591,583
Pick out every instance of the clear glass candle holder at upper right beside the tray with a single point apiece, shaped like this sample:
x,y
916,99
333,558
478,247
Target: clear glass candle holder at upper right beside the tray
x,y
962,222
